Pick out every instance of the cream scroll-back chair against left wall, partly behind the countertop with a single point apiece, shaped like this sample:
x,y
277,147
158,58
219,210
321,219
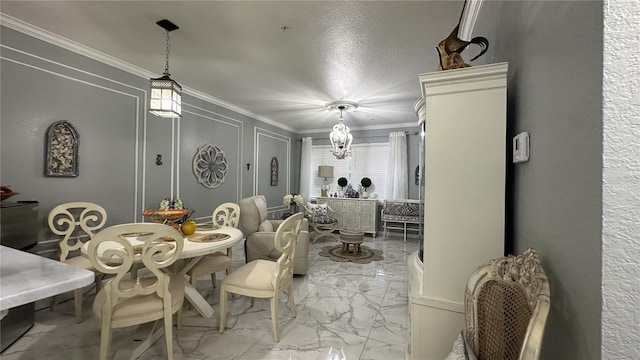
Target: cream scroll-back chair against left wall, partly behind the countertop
x,y
77,221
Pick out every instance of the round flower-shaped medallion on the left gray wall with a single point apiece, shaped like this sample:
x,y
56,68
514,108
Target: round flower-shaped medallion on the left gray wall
x,y
210,166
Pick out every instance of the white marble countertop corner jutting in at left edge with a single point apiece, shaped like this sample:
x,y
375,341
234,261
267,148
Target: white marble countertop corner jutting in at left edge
x,y
26,277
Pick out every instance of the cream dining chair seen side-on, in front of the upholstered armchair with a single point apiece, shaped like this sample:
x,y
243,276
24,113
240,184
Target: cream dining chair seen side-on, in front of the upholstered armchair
x,y
266,278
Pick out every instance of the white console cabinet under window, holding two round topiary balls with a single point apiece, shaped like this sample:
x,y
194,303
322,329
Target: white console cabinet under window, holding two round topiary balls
x,y
355,214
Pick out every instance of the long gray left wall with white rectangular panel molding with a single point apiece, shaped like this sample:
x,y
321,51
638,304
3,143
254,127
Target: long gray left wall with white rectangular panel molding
x,y
119,140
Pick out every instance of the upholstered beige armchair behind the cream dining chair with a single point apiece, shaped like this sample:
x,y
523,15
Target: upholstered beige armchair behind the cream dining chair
x,y
259,232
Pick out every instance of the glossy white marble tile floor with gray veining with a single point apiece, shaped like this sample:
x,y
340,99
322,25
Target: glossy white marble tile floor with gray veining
x,y
361,308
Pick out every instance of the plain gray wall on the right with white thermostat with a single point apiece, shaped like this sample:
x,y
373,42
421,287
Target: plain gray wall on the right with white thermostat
x,y
554,50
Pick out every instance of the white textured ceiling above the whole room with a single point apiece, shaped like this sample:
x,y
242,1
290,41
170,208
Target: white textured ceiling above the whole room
x,y
370,52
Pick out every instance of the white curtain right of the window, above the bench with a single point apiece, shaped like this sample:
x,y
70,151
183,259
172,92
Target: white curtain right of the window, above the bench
x,y
397,181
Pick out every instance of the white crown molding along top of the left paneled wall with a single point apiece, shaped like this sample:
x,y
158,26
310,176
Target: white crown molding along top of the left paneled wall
x,y
57,40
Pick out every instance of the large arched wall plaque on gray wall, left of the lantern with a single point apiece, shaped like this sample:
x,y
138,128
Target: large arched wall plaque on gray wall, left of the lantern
x,y
62,150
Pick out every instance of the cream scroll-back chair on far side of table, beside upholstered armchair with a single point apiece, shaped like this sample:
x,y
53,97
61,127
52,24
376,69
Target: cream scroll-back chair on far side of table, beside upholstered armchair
x,y
227,214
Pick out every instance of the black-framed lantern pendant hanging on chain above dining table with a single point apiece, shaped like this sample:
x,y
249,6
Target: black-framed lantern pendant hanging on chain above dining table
x,y
166,94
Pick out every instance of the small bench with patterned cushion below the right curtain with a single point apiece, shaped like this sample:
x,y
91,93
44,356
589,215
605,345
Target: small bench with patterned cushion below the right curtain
x,y
402,214
